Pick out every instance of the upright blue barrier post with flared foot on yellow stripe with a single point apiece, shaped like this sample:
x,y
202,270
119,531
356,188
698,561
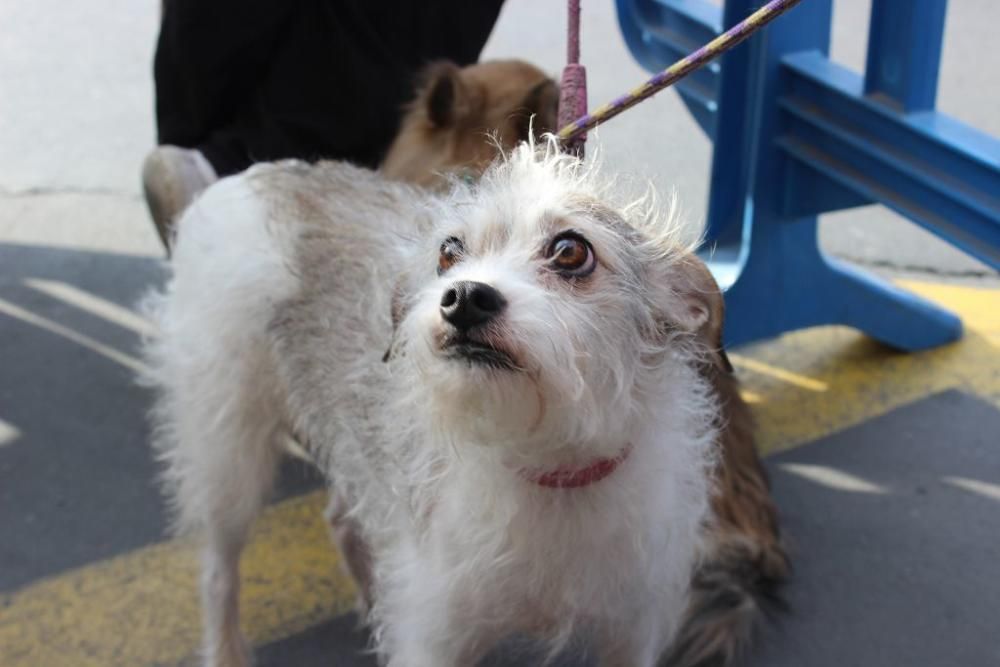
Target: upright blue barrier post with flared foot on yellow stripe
x,y
783,279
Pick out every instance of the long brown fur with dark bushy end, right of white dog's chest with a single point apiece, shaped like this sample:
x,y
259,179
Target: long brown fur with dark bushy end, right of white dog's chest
x,y
745,563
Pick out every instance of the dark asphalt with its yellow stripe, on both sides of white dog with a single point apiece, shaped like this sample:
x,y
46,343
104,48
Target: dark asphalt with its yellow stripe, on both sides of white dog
x,y
887,475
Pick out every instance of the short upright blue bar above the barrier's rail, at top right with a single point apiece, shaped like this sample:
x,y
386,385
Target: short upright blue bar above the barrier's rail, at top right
x,y
904,52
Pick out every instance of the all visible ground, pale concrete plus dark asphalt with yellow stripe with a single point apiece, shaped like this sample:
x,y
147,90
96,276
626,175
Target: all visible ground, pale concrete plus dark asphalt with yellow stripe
x,y
886,466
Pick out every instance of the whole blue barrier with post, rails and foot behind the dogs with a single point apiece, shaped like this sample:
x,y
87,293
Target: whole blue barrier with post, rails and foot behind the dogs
x,y
796,135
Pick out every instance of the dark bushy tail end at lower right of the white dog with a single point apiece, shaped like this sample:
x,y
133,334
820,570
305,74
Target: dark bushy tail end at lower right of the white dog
x,y
732,591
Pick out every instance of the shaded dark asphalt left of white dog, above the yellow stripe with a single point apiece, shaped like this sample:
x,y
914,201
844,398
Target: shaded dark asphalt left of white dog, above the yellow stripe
x,y
77,480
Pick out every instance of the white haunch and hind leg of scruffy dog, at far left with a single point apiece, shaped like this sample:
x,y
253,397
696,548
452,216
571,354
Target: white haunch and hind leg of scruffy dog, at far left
x,y
220,411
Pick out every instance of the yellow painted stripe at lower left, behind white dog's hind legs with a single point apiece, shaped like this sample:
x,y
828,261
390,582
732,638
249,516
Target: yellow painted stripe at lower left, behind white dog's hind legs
x,y
142,608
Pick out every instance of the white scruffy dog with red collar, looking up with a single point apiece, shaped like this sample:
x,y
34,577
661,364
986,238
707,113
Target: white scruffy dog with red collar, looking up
x,y
502,385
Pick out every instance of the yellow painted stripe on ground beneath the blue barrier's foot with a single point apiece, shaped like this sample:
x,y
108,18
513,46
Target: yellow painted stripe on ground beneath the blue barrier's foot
x,y
864,379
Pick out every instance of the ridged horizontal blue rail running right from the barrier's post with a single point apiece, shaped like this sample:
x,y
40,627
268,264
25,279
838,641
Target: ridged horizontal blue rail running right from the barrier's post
x,y
939,173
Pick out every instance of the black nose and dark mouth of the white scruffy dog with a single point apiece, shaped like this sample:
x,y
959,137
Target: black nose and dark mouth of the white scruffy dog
x,y
468,308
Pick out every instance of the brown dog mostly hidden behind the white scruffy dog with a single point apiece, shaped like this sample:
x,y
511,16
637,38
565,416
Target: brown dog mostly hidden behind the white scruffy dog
x,y
746,564
